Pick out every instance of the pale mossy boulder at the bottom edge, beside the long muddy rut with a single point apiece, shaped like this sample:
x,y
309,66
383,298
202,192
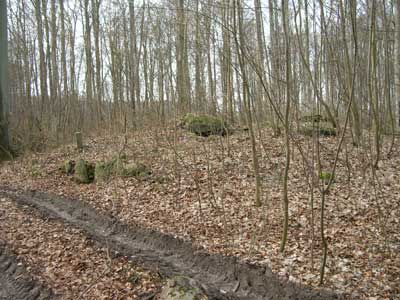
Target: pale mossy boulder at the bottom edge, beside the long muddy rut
x,y
182,288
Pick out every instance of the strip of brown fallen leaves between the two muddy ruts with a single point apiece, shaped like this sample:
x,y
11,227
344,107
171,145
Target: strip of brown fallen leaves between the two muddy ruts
x,y
67,261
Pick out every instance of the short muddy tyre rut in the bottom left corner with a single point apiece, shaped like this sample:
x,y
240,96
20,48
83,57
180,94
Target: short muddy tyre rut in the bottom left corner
x,y
14,282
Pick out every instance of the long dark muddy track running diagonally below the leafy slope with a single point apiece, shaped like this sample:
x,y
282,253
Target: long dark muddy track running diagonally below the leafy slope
x,y
221,277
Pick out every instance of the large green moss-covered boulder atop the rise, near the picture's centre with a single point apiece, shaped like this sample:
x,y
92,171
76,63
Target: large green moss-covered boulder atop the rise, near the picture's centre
x,y
205,125
